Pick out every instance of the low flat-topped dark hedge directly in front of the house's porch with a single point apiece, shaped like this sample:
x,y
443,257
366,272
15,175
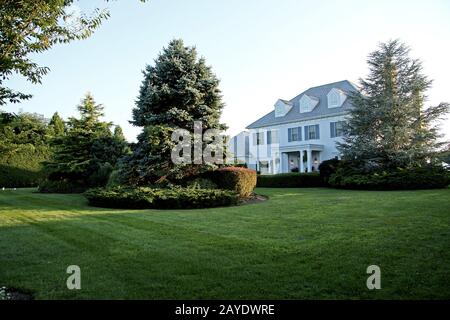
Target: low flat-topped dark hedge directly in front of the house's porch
x,y
290,180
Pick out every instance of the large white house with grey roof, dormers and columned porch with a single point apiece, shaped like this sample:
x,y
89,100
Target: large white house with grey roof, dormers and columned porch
x,y
298,134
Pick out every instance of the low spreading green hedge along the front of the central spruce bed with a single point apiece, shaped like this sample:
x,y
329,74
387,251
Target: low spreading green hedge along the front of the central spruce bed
x,y
152,198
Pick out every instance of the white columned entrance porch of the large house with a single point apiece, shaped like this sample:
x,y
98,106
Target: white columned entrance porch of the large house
x,y
304,158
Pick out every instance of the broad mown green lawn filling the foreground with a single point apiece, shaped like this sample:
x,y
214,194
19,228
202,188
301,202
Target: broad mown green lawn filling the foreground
x,y
301,243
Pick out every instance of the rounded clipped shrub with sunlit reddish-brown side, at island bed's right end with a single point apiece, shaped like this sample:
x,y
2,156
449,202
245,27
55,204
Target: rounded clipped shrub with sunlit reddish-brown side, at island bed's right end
x,y
238,179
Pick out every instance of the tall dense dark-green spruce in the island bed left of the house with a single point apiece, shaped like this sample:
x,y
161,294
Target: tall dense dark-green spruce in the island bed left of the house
x,y
178,90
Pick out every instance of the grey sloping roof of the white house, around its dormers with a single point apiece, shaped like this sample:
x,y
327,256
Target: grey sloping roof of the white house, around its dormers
x,y
320,110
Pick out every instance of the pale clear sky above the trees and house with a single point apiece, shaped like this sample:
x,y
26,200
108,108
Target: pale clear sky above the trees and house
x,y
261,50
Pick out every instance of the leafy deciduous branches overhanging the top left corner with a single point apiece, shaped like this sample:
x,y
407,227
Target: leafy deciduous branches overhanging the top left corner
x,y
30,27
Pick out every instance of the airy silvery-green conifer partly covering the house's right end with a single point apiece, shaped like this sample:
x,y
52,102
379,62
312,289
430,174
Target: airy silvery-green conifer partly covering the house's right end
x,y
388,126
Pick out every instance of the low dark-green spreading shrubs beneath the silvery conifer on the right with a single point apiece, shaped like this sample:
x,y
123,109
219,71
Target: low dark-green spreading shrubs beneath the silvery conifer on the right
x,y
429,177
